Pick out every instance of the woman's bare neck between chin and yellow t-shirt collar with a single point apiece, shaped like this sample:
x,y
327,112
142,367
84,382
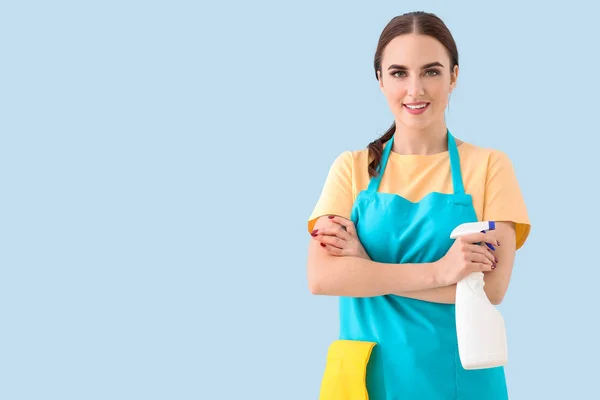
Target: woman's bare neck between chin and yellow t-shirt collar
x,y
426,141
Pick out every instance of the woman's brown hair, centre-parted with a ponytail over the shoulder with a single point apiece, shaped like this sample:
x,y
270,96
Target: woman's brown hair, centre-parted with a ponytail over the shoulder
x,y
418,22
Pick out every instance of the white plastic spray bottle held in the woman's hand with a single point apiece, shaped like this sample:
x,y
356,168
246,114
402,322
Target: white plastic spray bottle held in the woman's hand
x,y
479,325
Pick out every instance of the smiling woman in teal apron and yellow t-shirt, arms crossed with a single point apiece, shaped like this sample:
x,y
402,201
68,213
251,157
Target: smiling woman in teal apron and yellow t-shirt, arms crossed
x,y
381,233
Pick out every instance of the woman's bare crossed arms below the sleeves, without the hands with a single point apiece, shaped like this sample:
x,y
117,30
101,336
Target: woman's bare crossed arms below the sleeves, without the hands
x,y
356,275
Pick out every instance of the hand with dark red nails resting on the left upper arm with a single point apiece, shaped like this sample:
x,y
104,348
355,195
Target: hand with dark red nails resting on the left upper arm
x,y
339,238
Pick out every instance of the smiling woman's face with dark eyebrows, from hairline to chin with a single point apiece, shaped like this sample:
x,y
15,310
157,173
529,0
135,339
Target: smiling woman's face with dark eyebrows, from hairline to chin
x,y
416,80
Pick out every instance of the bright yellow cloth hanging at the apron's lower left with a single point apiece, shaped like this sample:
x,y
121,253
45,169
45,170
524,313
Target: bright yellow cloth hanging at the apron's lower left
x,y
346,370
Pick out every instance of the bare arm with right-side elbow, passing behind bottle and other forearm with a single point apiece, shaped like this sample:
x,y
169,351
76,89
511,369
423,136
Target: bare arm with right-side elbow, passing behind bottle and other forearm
x,y
496,282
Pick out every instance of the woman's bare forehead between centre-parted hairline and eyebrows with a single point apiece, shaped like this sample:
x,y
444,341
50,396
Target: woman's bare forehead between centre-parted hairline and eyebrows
x,y
413,51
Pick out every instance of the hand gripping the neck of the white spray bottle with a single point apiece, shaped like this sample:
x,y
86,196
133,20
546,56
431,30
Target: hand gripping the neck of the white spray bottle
x,y
466,256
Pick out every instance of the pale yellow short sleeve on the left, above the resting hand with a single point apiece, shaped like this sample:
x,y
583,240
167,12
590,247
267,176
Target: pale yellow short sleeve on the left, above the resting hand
x,y
337,195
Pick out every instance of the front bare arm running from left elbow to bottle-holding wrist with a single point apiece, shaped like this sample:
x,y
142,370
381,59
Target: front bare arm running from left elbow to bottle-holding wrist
x,y
359,277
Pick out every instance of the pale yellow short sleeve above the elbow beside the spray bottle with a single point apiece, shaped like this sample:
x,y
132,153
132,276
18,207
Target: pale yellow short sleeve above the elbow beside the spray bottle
x,y
503,200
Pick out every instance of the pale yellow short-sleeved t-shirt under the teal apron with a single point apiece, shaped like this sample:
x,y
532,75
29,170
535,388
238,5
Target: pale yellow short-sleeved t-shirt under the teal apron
x,y
488,176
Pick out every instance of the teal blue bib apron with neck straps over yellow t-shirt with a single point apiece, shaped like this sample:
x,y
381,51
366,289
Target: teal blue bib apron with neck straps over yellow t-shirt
x,y
416,351
